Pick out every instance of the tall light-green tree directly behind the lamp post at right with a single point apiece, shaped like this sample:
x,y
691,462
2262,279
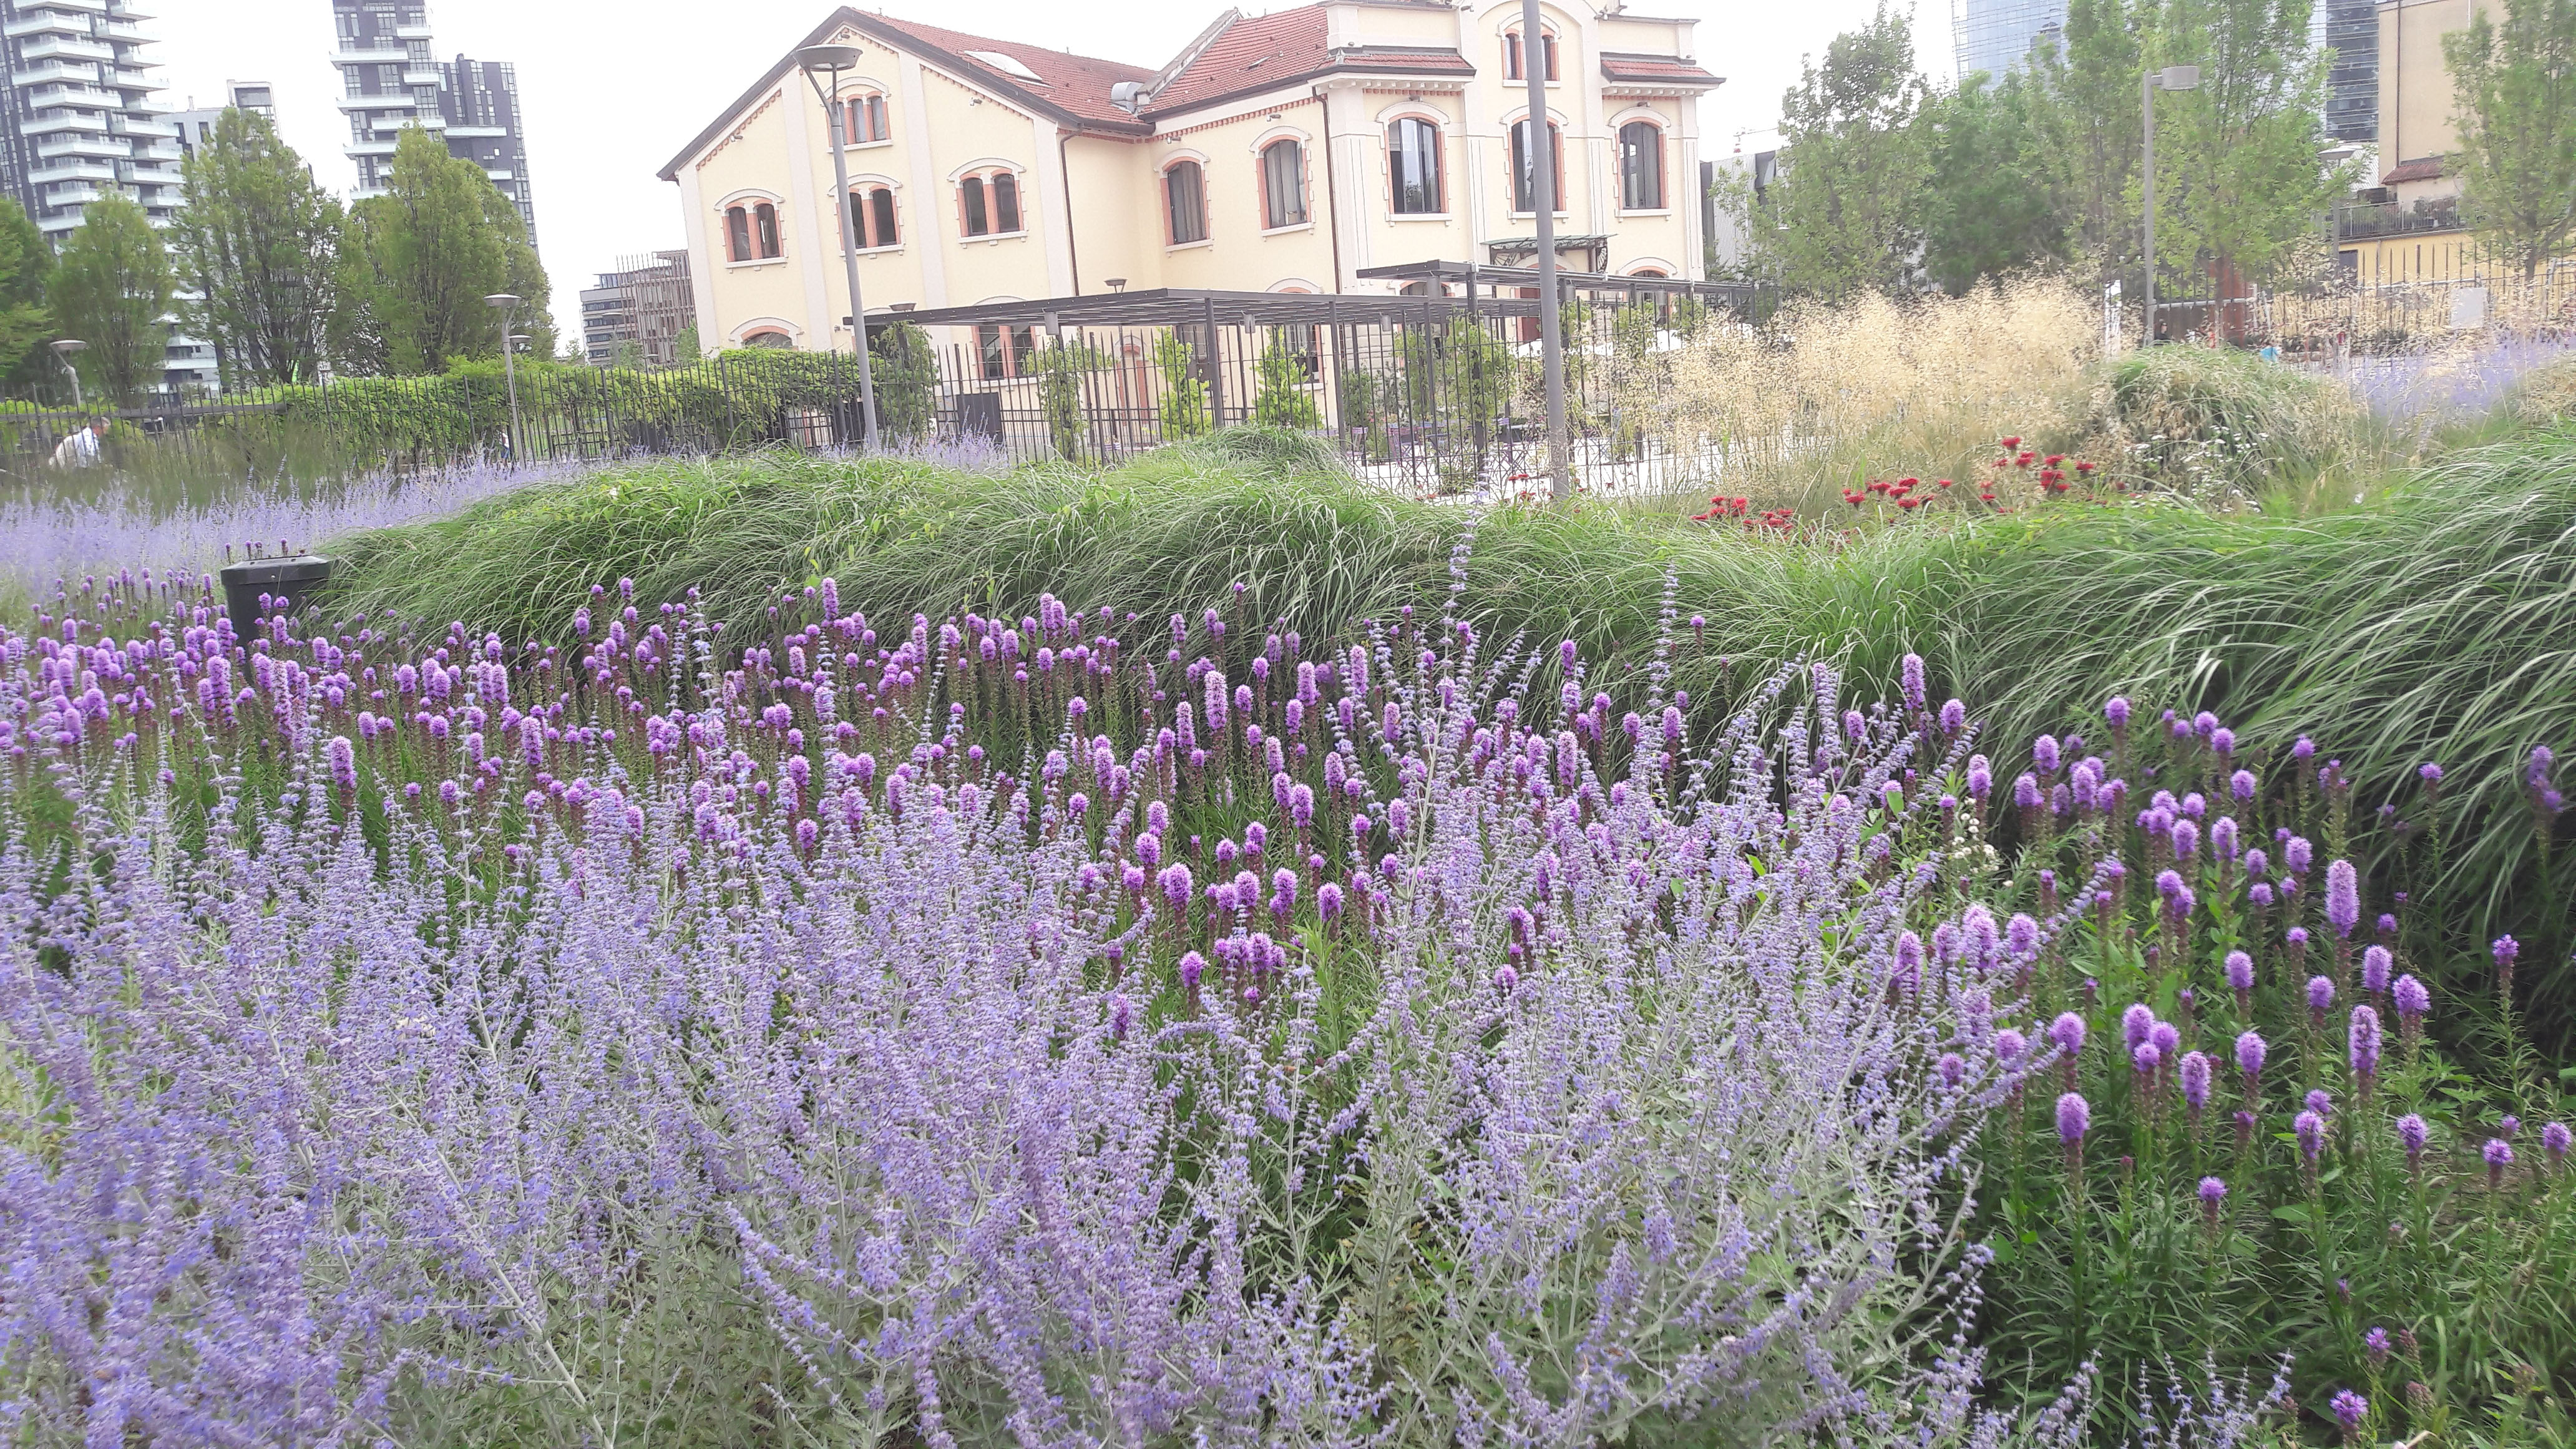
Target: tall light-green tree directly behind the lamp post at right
x,y
2237,177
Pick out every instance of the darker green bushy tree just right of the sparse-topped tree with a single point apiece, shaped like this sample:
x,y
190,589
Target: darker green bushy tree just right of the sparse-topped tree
x,y
1993,202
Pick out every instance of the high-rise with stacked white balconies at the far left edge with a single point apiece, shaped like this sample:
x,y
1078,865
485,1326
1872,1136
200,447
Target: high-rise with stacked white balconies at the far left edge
x,y
81,117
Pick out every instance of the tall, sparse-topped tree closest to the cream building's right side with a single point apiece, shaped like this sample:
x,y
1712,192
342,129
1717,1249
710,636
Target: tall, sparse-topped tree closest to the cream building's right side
x,y
1846,210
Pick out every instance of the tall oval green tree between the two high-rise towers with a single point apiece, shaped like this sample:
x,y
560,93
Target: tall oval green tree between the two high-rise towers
x,y
259,244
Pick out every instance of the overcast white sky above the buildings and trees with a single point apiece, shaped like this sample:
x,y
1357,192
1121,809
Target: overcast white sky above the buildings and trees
x,y
614,89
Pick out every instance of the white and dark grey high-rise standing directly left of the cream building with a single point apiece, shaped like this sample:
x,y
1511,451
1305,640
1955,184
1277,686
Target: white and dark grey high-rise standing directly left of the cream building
x,y
390,81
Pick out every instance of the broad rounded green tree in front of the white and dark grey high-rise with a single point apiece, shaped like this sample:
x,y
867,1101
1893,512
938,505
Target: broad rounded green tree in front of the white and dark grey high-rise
x,y
419,262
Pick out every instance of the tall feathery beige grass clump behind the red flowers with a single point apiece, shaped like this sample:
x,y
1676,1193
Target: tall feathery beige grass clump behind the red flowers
x,y
1830,396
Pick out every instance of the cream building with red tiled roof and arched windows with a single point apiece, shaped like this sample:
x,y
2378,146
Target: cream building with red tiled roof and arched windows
x,y
1276,153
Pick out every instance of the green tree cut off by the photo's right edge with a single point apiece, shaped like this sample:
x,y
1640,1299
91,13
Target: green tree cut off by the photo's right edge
x,y
2518,128
